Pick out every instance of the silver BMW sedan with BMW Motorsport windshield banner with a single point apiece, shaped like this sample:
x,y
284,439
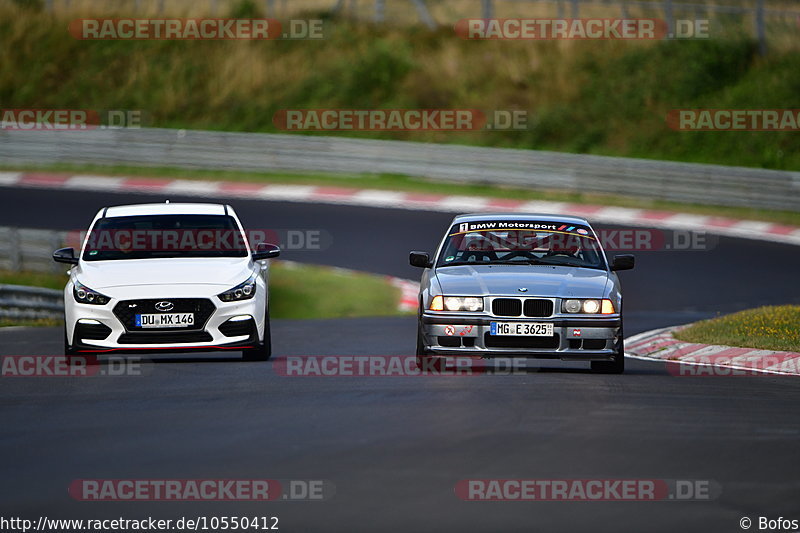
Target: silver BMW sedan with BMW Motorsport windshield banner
x,y
525,285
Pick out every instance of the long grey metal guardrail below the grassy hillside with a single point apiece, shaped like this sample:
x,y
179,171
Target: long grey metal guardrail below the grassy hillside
x,y
662,180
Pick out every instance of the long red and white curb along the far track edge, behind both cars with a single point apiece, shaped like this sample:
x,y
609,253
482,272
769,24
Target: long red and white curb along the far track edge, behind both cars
x,y
751,229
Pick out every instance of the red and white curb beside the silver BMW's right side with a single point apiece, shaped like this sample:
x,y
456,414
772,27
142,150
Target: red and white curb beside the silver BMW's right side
x,y
661,345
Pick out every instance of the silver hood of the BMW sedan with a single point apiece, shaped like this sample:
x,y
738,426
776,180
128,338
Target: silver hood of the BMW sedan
x,y
506,280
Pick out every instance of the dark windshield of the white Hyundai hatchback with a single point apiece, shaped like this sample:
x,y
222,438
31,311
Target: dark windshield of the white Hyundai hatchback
x,y
157,236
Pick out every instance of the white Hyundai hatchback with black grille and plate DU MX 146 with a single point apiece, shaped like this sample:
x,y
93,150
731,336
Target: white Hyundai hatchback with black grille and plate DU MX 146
x,y
171,277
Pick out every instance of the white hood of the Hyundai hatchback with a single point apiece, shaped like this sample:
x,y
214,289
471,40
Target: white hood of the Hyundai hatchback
x,y
224,272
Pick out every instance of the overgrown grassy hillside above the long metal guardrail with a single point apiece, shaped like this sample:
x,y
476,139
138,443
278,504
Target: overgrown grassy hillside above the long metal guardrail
x,y
601,97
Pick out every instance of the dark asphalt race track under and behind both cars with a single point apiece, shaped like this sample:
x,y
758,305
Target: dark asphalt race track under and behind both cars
x,y
394,448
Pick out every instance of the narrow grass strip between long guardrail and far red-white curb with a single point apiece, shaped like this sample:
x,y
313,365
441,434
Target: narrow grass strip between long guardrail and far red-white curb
x,y
396,182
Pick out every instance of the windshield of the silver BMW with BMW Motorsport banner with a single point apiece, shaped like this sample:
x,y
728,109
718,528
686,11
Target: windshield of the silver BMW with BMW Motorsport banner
x,y
521,242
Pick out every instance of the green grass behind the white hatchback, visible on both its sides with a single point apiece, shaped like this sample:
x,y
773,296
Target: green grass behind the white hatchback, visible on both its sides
x,y
296,291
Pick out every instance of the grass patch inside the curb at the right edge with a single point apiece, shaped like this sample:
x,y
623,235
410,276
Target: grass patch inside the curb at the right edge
x,y
765,328
